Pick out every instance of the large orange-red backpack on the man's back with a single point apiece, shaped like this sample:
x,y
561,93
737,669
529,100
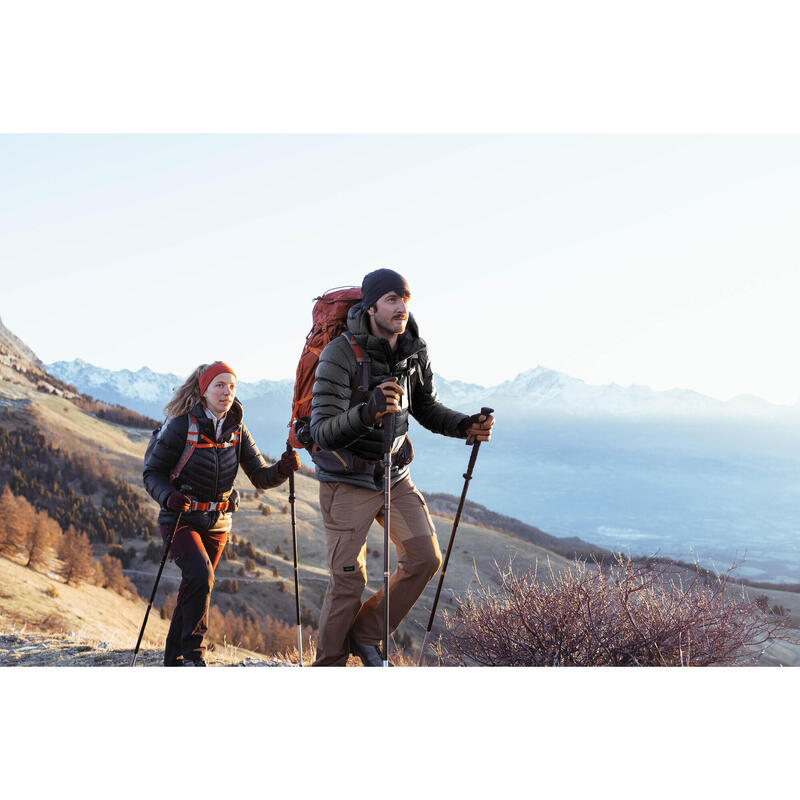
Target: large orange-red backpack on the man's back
x,y
329,320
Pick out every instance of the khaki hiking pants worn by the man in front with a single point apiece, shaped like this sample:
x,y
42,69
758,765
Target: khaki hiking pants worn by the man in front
x,y
348,512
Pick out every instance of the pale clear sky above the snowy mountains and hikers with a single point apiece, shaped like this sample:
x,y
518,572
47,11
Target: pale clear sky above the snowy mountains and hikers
x,y
665,260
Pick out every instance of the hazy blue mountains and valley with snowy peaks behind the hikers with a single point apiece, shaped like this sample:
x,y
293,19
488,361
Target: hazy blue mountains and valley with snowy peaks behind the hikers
x,y
624,467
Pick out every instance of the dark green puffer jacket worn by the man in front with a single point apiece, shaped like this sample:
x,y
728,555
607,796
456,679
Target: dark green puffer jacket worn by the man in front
x,y
351,451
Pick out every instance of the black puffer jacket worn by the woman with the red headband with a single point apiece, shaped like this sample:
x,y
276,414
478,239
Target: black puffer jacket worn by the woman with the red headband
x,y
209,473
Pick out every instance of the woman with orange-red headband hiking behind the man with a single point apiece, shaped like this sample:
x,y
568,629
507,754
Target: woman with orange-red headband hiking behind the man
x,y
190,468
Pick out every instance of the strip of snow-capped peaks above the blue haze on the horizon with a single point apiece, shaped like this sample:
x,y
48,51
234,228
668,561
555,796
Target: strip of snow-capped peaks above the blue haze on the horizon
x,y
538,390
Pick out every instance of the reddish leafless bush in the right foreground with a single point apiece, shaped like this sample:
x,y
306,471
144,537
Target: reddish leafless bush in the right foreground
x,y
623,614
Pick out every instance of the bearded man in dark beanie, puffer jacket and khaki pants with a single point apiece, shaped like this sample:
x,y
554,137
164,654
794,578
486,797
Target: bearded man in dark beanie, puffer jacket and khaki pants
x,y
346,425
